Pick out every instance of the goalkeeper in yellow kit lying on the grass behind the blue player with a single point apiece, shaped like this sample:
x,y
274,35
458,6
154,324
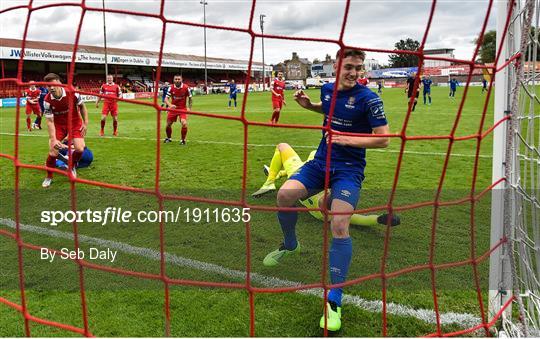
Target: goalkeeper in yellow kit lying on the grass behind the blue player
x,y
285,163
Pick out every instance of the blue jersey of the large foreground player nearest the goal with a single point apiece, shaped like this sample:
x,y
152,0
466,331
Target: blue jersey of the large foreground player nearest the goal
x,y
357,110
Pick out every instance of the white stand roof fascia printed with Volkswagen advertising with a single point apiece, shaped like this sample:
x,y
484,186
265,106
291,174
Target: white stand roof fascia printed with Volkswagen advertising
x,y
61,52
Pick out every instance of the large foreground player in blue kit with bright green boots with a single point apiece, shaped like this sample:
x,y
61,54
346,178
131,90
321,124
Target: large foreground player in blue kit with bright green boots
x,y
357,110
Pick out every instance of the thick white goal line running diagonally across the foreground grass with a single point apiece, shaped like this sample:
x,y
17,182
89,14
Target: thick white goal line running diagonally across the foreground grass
x,y
464,320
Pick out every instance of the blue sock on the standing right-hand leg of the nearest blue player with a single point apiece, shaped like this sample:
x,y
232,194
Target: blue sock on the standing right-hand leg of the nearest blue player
x,y
340,260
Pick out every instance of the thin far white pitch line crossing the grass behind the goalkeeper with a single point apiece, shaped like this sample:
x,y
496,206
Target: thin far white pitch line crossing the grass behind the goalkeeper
x,y
265,145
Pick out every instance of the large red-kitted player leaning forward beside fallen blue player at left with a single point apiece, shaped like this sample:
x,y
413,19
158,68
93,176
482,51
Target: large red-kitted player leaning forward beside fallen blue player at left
x,y
56,105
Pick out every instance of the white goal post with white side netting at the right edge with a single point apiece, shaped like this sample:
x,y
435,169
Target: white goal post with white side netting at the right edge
x,y
515,212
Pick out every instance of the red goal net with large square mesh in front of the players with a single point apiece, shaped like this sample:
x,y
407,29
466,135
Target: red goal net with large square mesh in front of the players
x,y
401,136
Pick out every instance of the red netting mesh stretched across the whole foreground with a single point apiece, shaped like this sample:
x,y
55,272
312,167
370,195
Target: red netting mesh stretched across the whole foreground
x,y
474,260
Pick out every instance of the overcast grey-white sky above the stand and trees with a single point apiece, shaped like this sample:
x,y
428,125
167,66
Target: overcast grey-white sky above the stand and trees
x,y
371,23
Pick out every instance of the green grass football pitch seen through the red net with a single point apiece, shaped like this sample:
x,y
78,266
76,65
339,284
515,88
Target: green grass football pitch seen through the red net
x,y
210,166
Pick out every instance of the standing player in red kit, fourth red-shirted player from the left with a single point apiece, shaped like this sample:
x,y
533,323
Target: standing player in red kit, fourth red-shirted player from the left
x,y
177,97
